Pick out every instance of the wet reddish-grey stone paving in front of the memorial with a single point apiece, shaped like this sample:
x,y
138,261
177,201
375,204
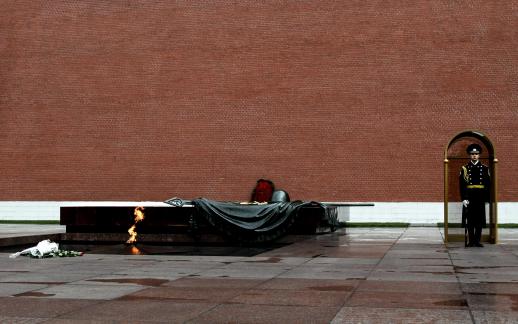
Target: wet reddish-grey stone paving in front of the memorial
x,y
369,275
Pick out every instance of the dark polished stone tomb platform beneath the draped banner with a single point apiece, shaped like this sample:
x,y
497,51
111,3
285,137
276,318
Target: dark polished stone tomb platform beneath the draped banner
x,y
187,224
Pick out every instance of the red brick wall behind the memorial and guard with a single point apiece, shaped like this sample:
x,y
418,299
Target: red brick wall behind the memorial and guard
x,y
332,100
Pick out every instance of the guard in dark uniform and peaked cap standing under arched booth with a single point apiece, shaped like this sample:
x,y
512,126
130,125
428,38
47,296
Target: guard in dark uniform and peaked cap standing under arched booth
x,y
474,183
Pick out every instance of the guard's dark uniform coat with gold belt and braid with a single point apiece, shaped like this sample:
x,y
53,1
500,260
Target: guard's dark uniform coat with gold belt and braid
x,y
474,183
